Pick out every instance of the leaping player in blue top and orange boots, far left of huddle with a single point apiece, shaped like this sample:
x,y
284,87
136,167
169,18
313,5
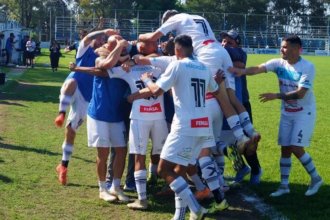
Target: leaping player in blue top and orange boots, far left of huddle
x,y
76,92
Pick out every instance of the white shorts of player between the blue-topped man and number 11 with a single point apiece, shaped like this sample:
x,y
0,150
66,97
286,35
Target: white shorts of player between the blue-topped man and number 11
x,y
141,130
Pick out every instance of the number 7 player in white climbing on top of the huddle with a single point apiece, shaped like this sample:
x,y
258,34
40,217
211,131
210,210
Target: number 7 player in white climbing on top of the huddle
x,y
210,52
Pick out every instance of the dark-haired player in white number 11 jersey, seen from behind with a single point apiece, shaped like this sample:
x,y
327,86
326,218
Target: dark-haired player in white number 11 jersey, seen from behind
x,y
191,127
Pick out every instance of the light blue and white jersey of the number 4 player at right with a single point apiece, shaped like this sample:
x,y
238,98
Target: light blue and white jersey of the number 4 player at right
x,y
291,77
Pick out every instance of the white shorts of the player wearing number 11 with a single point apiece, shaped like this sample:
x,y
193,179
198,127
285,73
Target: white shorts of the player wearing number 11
x,y
184,150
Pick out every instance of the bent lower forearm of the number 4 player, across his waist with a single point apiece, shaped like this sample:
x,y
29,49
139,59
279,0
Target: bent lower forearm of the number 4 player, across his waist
x,y
296,94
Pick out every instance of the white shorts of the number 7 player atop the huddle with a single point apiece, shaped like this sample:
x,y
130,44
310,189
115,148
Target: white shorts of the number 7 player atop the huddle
x,y
215,57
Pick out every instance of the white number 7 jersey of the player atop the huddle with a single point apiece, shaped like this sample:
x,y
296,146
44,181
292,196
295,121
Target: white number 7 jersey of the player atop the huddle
x,y
197,27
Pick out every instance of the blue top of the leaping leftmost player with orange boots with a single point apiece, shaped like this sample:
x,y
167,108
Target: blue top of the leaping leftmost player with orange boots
x,y
85,81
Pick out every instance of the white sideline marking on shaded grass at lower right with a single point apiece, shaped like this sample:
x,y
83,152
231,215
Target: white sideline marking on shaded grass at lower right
x,y
263,208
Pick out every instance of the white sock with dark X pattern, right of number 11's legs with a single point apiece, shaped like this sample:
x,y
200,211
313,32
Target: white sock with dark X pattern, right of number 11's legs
x,y
209,172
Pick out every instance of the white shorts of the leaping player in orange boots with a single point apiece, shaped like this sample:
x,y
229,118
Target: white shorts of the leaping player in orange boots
x,y
78,110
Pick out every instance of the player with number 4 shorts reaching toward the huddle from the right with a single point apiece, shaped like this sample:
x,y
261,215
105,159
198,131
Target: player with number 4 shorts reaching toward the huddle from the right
x,y
296,76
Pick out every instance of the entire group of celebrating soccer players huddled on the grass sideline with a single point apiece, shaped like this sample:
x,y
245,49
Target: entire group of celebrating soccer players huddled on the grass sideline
x,y
189,77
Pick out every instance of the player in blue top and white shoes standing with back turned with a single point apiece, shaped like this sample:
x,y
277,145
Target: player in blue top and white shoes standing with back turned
x,y
105,126
